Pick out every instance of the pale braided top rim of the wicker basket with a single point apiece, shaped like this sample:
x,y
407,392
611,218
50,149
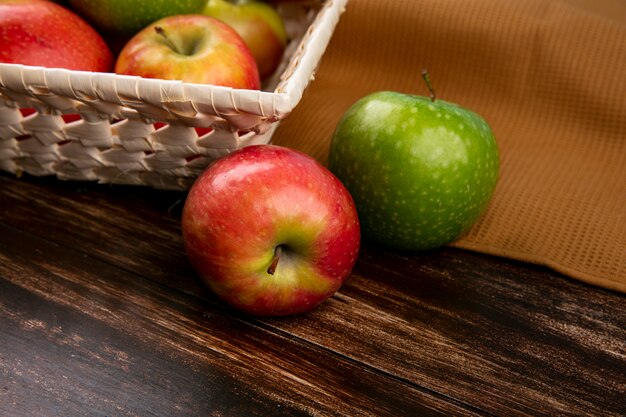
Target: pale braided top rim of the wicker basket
x,y
177,96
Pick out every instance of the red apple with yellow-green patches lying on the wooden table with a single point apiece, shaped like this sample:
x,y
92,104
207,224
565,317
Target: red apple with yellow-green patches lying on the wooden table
x,y
267,207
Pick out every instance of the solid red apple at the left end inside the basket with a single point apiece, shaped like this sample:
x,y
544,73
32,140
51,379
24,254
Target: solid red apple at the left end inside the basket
x,y
43,33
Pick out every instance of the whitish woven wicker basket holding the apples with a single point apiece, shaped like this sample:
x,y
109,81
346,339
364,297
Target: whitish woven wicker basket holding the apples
x,y
142,131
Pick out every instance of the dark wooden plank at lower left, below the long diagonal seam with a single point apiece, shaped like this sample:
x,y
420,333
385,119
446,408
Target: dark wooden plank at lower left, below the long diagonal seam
x,y
118,334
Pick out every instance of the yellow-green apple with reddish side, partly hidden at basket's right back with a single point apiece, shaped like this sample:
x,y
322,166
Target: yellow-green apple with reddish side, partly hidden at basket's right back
x,y
260,26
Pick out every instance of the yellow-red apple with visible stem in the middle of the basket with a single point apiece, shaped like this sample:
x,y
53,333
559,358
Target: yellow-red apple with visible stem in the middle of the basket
x,y
191,48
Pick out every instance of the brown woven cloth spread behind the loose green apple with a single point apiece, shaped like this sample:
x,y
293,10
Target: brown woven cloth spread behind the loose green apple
x,y
550,78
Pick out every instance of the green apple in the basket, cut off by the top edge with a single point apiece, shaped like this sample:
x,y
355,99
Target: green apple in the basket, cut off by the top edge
x,y
126,17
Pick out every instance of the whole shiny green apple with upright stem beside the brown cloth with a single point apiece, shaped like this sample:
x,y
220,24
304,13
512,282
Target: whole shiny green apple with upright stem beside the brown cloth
x,y
421,170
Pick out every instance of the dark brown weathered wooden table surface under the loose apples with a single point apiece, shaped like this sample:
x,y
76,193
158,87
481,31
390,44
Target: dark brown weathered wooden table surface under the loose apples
x,y
102,315
